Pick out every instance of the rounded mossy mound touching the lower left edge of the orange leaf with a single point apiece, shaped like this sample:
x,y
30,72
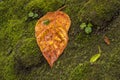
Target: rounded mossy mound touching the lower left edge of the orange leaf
x,y
27,53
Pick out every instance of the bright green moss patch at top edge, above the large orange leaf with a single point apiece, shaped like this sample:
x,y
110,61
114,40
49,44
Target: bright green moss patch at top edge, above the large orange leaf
x,y
44,5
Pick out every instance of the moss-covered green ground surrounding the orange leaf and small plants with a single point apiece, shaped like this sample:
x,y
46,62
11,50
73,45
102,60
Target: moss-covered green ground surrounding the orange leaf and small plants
x,y
21,59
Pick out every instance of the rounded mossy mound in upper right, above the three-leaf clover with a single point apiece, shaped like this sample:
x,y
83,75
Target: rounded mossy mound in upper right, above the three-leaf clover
x,y
99,12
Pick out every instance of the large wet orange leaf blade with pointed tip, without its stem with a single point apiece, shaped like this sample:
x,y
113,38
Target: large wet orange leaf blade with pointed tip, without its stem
x,y
51,32
